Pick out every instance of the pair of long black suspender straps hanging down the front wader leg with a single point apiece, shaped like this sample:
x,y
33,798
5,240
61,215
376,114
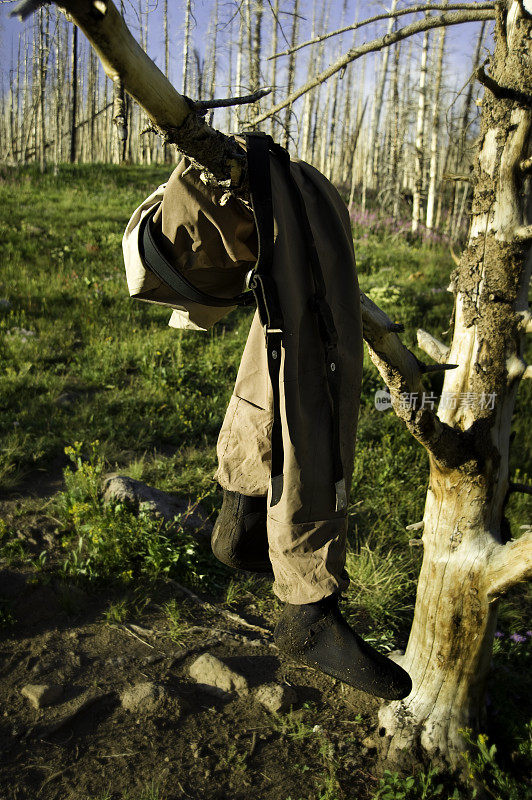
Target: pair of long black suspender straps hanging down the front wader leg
x,y
258,147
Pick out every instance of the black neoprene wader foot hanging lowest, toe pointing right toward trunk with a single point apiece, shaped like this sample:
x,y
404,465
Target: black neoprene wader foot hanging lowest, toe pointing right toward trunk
x,y
318,635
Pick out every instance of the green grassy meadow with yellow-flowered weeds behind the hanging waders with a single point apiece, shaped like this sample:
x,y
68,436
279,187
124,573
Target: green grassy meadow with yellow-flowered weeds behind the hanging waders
x,y
93,382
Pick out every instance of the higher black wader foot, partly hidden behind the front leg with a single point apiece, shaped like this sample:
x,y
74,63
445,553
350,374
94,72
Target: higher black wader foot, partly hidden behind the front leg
x,y
239,537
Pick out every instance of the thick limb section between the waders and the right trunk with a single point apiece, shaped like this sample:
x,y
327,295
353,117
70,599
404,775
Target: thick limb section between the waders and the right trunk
x,y
401,372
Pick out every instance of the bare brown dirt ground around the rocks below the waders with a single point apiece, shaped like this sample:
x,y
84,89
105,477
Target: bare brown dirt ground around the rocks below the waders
x,y
192,743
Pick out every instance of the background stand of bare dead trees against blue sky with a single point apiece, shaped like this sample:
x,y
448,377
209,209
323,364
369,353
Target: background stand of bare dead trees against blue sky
x,y
395,129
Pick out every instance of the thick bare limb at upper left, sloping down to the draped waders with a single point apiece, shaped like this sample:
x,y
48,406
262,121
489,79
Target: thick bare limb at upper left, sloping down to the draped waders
x,y
173,115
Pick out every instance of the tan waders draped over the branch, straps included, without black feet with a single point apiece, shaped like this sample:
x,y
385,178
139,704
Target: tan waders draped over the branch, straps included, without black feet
x,y
290,426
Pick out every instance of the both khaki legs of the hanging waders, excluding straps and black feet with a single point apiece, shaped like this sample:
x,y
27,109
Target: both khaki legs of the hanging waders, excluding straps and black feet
x,y
307,537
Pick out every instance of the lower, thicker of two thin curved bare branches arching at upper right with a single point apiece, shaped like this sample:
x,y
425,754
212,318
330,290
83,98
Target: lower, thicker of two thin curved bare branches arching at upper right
x,y
452,18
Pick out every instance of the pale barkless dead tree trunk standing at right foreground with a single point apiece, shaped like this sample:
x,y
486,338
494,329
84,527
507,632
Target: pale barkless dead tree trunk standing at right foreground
x,y
466,566
